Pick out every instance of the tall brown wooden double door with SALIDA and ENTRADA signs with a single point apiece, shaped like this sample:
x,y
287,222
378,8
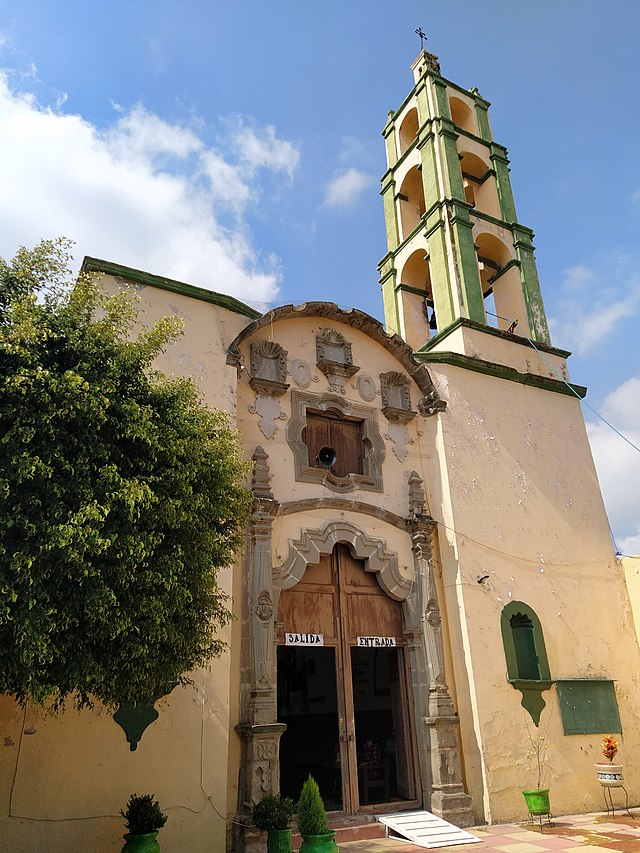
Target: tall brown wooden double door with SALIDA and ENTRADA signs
x,y
343,688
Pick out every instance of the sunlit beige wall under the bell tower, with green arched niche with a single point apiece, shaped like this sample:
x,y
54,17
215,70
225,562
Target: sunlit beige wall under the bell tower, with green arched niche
x,y
515,483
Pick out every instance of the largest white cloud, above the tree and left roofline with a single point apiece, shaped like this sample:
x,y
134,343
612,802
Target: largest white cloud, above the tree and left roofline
x,y
144,193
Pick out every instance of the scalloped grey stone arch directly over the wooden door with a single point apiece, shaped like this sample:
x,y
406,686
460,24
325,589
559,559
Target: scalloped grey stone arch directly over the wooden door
x,y
314,543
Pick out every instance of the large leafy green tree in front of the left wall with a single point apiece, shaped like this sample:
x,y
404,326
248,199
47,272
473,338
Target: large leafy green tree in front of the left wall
x,y
121,494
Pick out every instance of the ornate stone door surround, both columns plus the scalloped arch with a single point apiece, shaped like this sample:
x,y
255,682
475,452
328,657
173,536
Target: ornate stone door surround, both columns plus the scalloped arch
x,y
439,757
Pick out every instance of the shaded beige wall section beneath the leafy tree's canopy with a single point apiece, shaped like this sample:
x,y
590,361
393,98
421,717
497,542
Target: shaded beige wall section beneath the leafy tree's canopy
x,y
66,783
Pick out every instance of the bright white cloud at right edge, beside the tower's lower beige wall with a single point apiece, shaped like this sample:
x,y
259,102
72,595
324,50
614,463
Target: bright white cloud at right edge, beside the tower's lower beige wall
x,y
617,463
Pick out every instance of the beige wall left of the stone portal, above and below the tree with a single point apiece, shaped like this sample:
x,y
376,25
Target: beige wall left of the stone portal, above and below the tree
x,y
64,785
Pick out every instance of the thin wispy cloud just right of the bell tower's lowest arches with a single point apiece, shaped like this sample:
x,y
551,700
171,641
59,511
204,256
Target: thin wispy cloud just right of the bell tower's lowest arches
x,y
593,303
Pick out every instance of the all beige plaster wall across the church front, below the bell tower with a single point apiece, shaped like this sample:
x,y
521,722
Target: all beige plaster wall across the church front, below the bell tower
x,y
508,475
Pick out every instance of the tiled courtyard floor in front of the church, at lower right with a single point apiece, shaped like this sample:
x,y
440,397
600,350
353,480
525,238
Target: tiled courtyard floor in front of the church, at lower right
x,y
593,833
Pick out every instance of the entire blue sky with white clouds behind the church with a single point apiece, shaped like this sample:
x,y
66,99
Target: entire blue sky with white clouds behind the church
x,y
236,146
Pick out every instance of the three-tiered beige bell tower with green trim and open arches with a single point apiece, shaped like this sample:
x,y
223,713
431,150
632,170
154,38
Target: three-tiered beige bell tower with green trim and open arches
x,y
457,255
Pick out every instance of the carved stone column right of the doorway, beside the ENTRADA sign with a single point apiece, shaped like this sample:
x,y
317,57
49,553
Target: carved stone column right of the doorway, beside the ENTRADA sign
x,y
447,795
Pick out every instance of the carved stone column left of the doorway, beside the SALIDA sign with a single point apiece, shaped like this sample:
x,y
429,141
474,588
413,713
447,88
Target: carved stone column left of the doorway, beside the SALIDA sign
x,y
259,729
